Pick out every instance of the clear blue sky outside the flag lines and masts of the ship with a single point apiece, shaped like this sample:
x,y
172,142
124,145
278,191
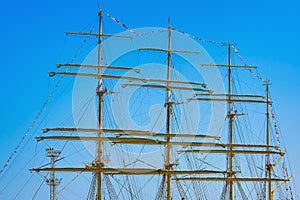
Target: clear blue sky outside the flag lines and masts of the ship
x,y
32,37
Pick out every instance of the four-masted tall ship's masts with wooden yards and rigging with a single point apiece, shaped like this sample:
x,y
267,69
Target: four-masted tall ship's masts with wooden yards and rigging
x,y
159,119
